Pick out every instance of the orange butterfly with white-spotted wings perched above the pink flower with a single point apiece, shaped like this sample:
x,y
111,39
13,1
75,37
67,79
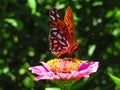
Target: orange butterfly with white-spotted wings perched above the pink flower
x,y
62,37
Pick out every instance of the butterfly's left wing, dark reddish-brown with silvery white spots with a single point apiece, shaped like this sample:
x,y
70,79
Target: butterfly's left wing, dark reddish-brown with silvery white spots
x,y
58,33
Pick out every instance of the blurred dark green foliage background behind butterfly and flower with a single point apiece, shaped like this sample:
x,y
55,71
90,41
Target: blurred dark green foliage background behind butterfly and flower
x,y
24,30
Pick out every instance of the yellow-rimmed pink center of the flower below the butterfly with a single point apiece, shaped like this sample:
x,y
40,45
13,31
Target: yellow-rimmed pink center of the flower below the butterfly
x,y
65,65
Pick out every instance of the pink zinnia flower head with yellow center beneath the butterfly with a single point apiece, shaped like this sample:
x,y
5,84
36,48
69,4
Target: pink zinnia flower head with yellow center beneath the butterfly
x,y
64,69
